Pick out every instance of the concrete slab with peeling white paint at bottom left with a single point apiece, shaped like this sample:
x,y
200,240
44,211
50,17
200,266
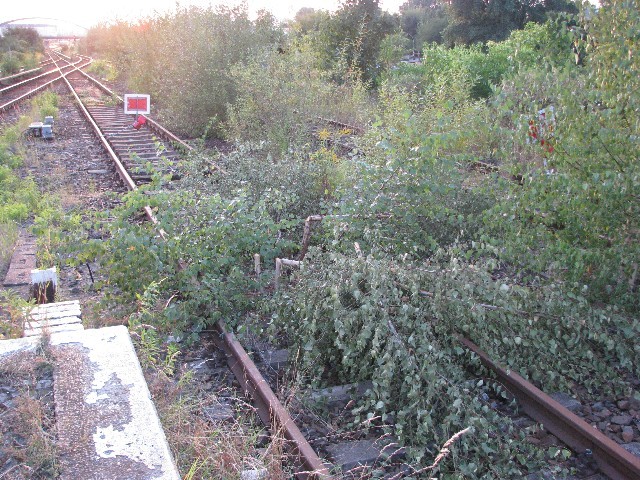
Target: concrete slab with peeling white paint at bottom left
x,y
107,424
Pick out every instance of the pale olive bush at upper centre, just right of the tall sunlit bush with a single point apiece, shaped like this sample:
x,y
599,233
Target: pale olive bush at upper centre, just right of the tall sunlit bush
x,y
279,96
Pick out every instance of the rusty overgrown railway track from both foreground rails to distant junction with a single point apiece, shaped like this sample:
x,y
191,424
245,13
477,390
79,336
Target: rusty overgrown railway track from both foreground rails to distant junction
x,y
132,150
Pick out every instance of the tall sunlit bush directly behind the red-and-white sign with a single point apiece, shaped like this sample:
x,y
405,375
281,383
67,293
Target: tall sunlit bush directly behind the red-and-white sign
x,y
193,86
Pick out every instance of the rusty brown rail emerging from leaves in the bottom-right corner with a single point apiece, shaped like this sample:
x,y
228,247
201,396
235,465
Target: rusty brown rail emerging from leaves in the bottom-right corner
x,y
613,460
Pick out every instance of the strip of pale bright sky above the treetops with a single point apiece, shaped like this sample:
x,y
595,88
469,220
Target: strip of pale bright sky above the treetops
x,y
89,13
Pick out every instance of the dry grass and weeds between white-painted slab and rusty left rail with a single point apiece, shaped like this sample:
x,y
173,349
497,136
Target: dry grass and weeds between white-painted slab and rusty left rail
x,y
202,448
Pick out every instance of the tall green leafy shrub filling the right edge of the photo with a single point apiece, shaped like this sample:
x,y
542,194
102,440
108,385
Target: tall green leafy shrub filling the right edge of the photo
x,y
577,221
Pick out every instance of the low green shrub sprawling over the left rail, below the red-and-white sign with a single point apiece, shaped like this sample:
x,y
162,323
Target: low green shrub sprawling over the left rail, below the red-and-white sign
x,y
201,266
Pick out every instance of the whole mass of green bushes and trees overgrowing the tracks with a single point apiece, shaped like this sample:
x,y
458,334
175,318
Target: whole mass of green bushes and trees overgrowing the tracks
x,y
494,194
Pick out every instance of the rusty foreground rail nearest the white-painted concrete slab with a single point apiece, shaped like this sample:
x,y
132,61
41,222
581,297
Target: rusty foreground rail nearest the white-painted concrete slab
x,y
270,410
